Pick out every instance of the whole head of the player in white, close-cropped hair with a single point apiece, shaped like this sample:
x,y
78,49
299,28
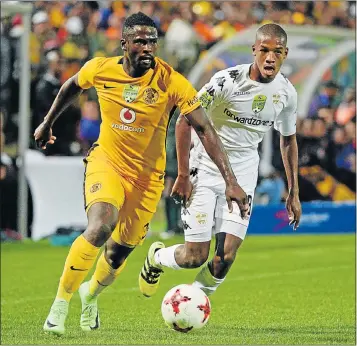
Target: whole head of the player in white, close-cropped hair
x,y
270,50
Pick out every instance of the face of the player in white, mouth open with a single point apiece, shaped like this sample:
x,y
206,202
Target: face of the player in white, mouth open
x,y
270,53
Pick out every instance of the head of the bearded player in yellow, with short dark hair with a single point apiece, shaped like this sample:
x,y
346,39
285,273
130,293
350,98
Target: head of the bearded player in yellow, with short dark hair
x,y
139,40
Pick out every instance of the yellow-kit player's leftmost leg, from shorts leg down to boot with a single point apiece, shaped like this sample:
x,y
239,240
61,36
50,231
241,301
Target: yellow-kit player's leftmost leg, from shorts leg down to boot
x,y
104,196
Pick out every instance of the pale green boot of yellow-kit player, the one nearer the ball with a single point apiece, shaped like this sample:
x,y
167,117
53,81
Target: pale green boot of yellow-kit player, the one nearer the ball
x,y
90,315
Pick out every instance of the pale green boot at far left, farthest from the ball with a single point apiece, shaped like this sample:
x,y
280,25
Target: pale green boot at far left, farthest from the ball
x,y
55,320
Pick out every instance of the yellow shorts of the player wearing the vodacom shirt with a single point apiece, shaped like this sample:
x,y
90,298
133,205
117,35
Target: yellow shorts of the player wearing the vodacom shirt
x,y
136,203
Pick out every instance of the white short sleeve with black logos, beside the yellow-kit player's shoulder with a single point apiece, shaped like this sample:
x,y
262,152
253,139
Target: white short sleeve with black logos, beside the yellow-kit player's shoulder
x,y
214,92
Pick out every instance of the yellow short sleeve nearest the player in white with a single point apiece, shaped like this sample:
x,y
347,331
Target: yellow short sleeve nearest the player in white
x,y
185,95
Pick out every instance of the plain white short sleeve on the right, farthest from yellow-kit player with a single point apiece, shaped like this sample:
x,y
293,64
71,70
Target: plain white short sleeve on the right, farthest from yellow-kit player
x,y
285,122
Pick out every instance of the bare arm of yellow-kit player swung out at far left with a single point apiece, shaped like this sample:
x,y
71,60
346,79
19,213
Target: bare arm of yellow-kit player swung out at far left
x,y
68,93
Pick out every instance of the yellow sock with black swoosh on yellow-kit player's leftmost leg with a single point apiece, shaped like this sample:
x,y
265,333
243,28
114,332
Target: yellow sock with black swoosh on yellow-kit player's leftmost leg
x,y
80,259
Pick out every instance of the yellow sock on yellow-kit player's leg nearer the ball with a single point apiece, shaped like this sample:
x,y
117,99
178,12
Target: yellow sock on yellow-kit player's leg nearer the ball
x,y
103,276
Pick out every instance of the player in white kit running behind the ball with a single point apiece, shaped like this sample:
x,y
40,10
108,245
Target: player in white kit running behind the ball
x,y
243,103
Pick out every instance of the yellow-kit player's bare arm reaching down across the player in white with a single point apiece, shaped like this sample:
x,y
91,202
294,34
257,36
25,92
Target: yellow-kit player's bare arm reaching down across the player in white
x,y
215,149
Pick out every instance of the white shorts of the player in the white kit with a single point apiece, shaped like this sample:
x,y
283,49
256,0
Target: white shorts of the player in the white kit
x,y
208,203
